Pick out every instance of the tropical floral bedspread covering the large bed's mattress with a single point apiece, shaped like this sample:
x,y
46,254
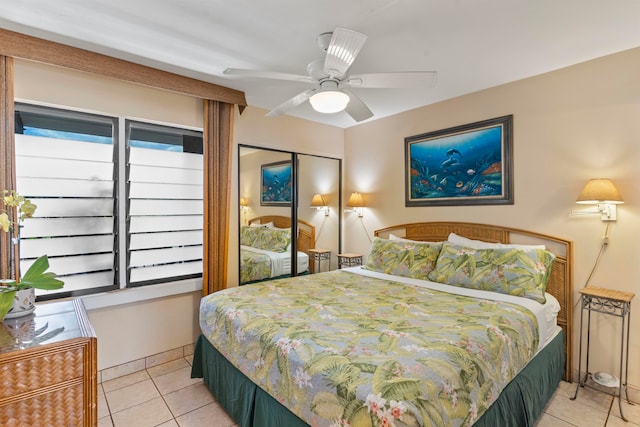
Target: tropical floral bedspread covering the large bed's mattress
x,y
342,349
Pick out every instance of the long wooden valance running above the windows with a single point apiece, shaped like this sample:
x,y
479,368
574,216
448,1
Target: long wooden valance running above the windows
x,y
21,46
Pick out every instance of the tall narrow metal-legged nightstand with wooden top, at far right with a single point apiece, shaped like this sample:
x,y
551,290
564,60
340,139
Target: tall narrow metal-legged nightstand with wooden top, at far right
x,y
613,303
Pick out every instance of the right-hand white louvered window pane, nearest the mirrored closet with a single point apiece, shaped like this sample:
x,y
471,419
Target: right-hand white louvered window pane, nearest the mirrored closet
x,y
165,194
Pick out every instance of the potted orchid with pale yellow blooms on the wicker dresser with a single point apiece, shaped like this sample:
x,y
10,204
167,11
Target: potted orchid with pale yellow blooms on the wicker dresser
x,y
15,210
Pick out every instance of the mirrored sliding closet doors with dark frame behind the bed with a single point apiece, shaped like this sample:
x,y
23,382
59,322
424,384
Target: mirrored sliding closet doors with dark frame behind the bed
x,y
280,189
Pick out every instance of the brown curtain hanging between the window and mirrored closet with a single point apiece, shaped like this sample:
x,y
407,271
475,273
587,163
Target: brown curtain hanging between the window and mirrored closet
x,y
218,140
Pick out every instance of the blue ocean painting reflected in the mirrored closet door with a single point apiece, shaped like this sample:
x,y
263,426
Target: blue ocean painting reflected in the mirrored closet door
x,y
275,184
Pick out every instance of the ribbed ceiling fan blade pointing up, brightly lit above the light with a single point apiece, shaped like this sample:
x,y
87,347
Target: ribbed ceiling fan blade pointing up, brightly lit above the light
x,y
343,48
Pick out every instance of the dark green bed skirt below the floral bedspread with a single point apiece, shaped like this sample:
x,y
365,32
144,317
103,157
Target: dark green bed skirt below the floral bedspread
x,y
519,405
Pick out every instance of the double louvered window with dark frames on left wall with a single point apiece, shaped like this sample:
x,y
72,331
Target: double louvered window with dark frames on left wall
x,y
86,185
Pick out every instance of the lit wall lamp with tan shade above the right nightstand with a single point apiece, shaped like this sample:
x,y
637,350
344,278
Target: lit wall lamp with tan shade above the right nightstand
x,y
604,195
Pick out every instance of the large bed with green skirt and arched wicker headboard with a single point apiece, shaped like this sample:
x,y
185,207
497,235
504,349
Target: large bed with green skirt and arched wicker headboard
x,y
329,362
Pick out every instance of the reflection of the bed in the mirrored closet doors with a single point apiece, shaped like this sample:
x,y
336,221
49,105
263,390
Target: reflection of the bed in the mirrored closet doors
x,y
267,253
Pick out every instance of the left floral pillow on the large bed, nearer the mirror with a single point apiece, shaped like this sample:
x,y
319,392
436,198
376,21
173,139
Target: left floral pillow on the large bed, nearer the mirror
x,y
403,257
